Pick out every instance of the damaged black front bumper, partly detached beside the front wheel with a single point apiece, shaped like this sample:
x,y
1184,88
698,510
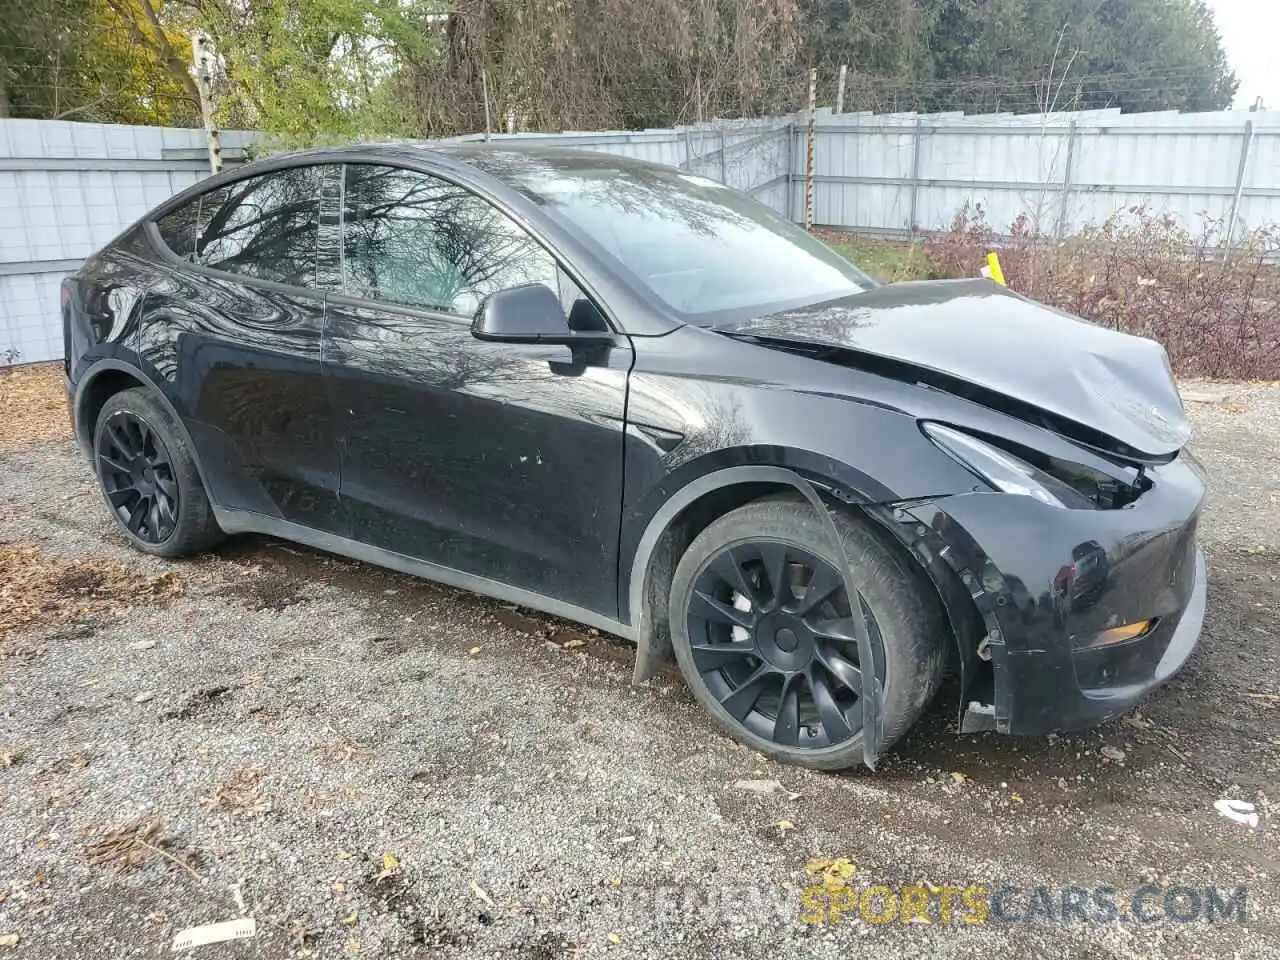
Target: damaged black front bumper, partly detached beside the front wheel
x,y
1048,582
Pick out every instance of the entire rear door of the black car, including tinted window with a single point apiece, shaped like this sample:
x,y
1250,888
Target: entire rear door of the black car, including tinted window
x,y
239,336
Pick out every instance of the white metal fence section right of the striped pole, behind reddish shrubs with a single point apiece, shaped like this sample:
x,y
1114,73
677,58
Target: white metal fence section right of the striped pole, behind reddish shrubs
x,y
897,173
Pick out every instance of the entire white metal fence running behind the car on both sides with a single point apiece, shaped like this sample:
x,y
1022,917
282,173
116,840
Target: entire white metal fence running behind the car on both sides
x,y
66,189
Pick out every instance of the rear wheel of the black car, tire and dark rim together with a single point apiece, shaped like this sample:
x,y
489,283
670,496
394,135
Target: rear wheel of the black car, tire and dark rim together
x,y
148,477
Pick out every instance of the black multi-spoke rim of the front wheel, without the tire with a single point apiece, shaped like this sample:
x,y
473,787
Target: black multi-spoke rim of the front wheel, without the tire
x,y
772,636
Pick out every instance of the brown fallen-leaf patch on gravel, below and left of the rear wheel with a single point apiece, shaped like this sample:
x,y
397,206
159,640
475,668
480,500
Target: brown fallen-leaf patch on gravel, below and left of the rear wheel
x,y
38,592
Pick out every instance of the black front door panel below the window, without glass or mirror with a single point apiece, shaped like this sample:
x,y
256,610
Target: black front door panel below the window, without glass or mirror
x,y
500,460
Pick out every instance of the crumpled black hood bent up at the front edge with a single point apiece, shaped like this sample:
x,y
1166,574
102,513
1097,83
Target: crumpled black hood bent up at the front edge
x,y
984,335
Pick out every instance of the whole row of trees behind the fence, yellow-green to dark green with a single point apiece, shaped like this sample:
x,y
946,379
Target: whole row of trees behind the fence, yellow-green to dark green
x,y
314,71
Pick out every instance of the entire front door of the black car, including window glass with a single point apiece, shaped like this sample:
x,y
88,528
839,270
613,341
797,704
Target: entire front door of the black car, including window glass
x,y
501,461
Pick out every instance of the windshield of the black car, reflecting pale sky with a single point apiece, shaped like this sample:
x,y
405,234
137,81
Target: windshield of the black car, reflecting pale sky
x,y
702,249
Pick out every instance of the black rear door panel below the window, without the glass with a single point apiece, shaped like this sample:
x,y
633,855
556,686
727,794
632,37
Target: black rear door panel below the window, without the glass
x,y
241,363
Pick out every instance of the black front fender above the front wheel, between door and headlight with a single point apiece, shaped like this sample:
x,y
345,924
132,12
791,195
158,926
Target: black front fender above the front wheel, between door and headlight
x,y
854,435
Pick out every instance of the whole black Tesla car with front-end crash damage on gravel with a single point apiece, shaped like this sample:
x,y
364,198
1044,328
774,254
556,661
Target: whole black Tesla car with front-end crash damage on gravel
x,y
636,399
